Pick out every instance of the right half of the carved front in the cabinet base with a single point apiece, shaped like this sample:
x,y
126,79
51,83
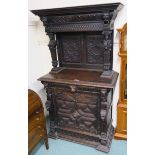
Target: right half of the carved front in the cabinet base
x,y
87,108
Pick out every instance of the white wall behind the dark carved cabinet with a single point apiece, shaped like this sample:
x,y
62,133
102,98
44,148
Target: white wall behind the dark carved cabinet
x,y
39,55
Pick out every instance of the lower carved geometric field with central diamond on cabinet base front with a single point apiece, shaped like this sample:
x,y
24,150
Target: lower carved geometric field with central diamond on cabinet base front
x,y
77,115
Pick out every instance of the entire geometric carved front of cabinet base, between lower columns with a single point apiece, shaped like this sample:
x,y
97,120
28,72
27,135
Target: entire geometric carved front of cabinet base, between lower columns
x,y
77,110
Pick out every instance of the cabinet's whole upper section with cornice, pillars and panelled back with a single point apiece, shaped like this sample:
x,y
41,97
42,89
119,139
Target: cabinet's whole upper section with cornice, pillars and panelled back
x,y
81,37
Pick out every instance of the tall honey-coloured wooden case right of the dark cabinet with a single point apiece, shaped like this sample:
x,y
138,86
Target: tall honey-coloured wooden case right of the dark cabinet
x,y
121,129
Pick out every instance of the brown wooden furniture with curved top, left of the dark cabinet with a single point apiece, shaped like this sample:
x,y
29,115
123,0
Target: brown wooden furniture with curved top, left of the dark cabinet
x,y
36,121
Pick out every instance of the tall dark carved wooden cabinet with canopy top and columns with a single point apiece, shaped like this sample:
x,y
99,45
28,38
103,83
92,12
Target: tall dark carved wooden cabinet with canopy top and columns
x,y
81,83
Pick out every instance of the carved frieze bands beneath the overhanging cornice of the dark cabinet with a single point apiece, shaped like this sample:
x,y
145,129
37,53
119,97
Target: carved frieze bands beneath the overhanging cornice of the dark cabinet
x,y
80,22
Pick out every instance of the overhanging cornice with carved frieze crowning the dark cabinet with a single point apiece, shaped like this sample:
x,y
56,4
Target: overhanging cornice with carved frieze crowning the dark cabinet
x,y
79,18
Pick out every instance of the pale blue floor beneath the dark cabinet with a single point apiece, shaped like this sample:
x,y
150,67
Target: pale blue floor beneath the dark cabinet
x,y
61,147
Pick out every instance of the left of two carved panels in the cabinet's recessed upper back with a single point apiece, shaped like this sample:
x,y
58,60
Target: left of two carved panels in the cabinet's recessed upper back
x,y
71,48
